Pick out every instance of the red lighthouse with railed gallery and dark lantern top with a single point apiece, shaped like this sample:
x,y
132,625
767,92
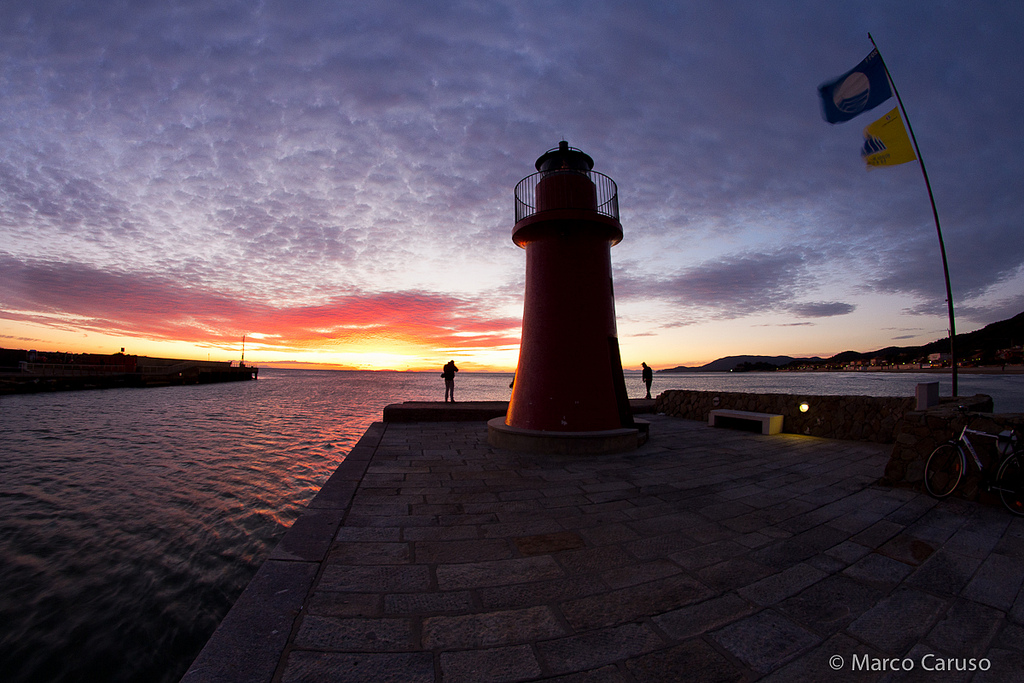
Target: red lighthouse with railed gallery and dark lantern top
x,y
570,396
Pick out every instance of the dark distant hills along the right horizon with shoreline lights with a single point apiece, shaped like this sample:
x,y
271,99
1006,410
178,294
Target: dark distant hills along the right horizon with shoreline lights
x,y
982,348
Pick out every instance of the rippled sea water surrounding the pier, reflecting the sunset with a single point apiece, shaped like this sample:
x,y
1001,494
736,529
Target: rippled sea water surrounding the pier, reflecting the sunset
x,y
132,520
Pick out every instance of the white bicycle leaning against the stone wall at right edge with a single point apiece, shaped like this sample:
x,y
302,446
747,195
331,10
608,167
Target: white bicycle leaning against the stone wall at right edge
x,y
947,465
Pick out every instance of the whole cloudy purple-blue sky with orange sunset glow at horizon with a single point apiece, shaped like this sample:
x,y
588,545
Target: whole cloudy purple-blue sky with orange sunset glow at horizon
x,y
334,180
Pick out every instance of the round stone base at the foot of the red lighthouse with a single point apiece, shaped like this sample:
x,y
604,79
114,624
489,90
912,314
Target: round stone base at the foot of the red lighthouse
x,y
604,442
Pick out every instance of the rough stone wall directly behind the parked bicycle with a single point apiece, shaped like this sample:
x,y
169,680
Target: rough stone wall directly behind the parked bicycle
x,y
920,433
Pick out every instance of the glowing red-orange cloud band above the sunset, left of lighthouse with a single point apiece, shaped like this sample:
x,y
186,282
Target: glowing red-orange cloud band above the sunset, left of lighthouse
x,y
74,296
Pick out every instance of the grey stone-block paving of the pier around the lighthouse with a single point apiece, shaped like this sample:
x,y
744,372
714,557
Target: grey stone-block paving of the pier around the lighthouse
x,y
706,556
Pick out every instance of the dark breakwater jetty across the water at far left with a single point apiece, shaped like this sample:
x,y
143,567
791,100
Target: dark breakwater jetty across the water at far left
x,y
27,372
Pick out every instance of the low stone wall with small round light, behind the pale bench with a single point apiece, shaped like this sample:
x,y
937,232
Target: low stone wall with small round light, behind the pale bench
x,y
856,418
